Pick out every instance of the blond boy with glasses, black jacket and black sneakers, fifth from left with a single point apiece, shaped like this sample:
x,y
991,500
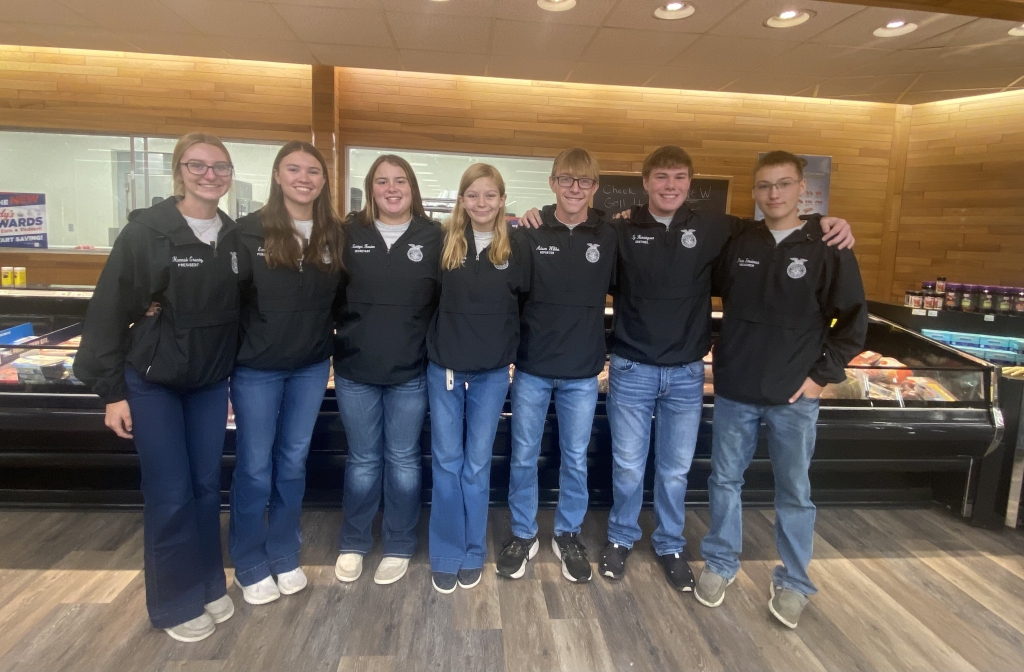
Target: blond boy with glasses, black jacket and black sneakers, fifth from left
x,y
571,263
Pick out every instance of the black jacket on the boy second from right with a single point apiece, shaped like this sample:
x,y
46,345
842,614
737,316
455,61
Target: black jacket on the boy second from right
x,y
663,302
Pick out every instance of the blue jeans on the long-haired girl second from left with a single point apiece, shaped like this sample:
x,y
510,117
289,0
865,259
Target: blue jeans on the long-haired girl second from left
x,y
275,414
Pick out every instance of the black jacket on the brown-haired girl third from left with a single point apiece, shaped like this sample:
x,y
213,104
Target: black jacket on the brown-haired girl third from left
x,y
386,303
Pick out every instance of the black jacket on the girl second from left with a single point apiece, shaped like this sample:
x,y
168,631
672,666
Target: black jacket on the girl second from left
x,y
287,321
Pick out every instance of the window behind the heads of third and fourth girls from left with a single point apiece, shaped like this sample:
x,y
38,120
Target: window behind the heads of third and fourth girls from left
x,y
439,176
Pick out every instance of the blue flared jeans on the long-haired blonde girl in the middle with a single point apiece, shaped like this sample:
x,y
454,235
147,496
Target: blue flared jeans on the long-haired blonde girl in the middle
x,y
461,461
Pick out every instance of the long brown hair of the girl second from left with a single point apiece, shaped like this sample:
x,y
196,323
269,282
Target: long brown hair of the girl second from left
x,y
281,245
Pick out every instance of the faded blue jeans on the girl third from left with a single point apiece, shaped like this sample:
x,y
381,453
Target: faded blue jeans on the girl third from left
x,y
382,429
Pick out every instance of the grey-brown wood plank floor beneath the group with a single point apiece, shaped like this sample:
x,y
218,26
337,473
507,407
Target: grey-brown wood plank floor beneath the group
x,y
900,591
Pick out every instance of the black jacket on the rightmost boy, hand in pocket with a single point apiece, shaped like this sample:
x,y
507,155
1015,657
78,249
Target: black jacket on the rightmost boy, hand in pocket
x,y
780,302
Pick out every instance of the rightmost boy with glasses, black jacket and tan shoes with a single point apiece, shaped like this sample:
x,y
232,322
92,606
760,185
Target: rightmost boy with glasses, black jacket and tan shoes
x,y
795,316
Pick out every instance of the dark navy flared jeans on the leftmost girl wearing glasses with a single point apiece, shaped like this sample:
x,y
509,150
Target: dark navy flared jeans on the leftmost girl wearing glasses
x,y
180,436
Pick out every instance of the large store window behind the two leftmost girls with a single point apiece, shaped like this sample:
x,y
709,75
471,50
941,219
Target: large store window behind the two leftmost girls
x,y
90,184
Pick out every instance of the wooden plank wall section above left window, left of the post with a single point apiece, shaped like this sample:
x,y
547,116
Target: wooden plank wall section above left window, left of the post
x,y
126,93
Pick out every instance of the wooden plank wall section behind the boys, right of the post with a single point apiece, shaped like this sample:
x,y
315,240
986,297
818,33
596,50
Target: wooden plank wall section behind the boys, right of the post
x,y
621,125
